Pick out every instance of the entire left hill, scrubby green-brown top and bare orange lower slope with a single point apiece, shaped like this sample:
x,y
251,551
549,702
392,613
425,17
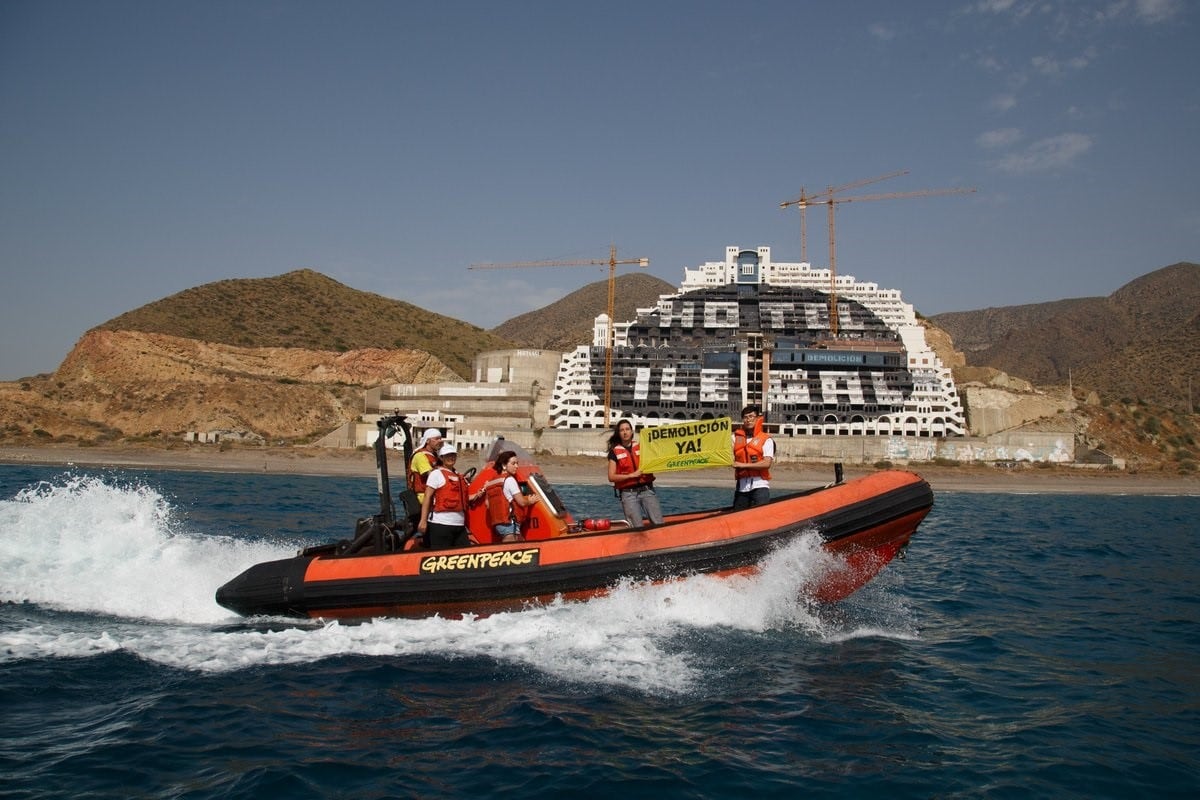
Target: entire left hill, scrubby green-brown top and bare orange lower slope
x,y
284,358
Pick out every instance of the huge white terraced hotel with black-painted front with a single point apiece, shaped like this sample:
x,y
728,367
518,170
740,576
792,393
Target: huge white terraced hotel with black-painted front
x,y
748,330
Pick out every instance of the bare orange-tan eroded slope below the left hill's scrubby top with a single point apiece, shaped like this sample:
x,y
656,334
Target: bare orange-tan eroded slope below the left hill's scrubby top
x,y
123,384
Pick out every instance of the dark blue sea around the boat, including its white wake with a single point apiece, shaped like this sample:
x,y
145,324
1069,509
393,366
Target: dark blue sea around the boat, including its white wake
x,y
1030,646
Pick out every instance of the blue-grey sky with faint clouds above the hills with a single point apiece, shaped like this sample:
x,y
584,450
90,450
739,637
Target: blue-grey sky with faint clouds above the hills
x,y
147,148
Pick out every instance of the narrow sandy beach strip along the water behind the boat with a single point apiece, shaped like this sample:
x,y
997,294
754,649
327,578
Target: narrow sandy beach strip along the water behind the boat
x,y
591,471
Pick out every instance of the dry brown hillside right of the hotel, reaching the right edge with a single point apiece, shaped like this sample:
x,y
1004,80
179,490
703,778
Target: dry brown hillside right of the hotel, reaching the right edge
x,y
1131,358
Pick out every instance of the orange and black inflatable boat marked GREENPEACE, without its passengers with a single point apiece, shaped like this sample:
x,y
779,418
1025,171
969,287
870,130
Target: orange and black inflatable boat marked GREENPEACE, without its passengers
x,y
866,522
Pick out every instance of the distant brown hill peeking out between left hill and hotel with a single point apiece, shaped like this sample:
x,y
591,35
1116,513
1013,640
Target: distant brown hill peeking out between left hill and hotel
x,y
568,323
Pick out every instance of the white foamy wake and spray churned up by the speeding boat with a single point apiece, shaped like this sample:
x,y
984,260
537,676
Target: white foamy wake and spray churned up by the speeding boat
x,y
94,548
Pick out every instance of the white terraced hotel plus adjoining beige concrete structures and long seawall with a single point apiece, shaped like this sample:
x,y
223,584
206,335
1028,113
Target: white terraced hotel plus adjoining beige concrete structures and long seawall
x,y
739,332
